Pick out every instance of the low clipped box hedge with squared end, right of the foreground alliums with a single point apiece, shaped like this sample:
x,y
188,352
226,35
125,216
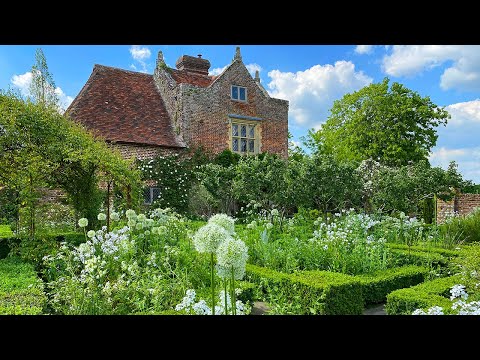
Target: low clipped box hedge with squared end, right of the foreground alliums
x,y
315,292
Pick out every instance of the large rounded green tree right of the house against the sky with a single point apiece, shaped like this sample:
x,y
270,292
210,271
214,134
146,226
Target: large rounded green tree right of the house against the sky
x,y
391,124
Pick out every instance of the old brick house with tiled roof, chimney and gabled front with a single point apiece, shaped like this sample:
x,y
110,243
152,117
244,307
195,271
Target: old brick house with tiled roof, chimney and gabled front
x,y
143,115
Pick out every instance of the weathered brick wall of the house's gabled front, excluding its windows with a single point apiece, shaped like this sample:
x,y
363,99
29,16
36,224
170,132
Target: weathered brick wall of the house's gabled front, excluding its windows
x,y
200,115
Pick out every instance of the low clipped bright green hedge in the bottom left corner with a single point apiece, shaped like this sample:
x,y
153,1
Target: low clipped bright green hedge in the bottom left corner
x,y
21,291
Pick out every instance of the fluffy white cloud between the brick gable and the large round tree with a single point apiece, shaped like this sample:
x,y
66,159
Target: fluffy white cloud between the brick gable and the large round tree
x,y
311,92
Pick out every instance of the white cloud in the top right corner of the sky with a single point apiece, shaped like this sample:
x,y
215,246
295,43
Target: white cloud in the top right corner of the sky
x,y
463,73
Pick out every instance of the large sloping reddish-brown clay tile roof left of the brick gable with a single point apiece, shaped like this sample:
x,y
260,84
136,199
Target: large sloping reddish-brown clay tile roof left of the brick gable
x,y
123,106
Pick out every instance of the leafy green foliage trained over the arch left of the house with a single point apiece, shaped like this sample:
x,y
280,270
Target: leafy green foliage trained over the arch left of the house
x,y
42,148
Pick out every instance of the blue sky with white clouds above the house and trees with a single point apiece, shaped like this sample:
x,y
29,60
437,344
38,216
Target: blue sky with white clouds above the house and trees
x,y
310,77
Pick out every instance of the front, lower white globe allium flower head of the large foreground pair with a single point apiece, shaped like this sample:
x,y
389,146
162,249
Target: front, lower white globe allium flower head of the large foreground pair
x,y
232,255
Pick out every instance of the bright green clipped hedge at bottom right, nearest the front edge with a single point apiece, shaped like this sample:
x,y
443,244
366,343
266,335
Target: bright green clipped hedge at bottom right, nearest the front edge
x,y
423,296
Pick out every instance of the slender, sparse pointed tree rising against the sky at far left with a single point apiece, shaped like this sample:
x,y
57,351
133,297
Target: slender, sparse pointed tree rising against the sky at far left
x,y
42,87
